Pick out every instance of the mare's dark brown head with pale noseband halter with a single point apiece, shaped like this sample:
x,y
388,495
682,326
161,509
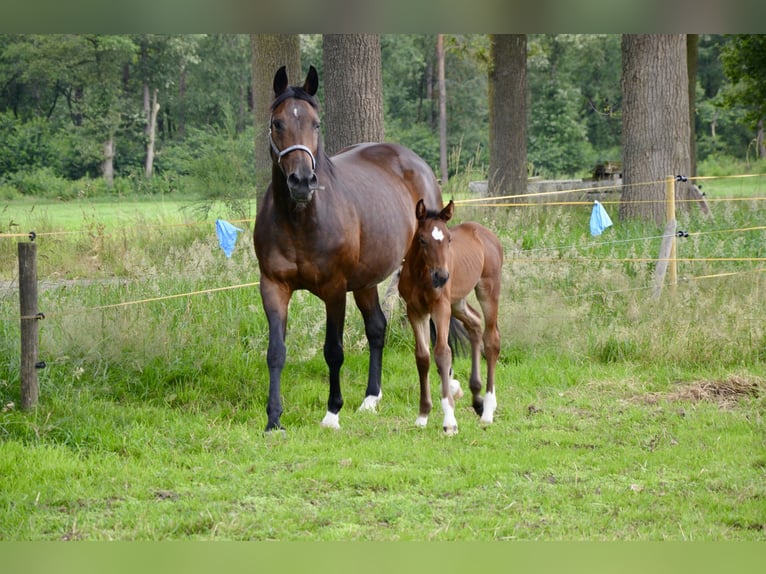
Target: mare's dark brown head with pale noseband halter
x,y
294,134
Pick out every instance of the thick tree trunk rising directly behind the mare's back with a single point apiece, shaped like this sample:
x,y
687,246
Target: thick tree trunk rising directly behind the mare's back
x,y
353,81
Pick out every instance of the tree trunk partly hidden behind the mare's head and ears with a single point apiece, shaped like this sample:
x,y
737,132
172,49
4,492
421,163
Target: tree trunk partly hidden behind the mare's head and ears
x,y
269,53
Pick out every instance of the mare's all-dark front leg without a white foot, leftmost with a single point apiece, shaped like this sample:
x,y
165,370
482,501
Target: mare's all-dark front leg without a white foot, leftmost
x,y
275,298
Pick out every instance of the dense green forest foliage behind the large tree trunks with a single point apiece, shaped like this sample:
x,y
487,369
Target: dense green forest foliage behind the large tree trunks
x,y
66,101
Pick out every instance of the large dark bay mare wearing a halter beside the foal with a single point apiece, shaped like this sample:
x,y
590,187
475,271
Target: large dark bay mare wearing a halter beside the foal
x,y
331,225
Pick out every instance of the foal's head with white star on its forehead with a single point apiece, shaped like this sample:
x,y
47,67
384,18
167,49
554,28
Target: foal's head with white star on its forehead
x,y
432,239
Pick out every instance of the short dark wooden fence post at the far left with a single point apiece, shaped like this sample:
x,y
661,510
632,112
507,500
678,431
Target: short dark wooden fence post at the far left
x,y
29,327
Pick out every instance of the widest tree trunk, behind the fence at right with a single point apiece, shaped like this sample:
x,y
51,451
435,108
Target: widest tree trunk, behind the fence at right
x,y
655,122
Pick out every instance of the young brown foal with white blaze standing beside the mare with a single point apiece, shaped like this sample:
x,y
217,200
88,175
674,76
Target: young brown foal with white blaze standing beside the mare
x,y
441,268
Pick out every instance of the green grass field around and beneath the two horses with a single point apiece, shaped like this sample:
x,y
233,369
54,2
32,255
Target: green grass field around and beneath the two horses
x,y
620,416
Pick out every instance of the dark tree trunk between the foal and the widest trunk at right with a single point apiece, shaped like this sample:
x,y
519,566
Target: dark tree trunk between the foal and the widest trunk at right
x,y
508,97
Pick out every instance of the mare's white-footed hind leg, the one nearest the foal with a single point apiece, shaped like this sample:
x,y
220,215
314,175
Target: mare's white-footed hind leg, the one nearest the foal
x,y
375,329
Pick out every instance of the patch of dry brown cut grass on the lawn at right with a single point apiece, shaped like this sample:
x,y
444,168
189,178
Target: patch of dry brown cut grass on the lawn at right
x,y
725,392
